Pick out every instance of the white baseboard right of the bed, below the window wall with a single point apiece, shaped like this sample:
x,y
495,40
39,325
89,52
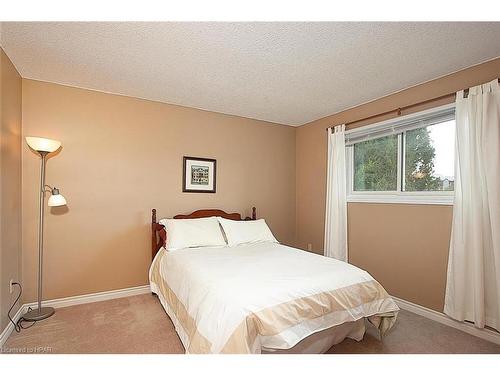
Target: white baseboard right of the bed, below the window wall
x,y
485,334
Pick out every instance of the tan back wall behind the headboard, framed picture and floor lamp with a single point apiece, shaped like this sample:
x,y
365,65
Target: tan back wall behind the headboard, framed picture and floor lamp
x,y
121,157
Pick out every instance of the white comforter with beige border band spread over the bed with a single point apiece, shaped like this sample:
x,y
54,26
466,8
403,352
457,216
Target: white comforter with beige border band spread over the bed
x,y
221,287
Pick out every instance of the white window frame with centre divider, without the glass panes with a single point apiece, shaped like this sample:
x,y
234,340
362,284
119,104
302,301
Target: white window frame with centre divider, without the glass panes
x,y
398,196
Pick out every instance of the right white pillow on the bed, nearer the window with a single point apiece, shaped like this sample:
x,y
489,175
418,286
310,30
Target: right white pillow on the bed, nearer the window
x,y
238,232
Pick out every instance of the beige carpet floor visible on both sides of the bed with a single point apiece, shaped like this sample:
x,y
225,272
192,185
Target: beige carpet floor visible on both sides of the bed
x,y
139,325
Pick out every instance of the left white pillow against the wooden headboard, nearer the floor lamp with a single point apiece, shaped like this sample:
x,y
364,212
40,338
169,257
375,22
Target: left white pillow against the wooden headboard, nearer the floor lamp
x,y
182,233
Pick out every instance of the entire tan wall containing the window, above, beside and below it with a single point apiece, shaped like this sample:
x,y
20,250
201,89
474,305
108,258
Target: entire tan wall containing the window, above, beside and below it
x,y
382,238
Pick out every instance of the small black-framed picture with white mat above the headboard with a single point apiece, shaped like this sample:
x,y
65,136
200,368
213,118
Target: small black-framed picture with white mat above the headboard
x,y
198,175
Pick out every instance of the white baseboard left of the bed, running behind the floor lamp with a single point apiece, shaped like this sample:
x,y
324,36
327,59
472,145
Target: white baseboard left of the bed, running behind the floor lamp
x,y
75,300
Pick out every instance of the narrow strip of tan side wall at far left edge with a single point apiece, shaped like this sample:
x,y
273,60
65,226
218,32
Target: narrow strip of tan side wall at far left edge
x,y
10,183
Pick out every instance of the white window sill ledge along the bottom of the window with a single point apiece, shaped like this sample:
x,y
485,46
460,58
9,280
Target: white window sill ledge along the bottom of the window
x,y
401,199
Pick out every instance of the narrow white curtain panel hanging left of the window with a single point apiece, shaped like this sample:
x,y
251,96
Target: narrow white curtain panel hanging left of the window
x,y
336,202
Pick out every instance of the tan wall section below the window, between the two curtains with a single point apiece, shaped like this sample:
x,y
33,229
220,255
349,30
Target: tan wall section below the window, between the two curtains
x,y
405,247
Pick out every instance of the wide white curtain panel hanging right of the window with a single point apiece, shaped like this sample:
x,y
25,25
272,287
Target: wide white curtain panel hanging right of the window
x,y
473,283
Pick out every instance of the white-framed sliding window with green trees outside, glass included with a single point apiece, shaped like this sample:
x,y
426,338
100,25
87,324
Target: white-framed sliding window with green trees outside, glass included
x,y
409,160
